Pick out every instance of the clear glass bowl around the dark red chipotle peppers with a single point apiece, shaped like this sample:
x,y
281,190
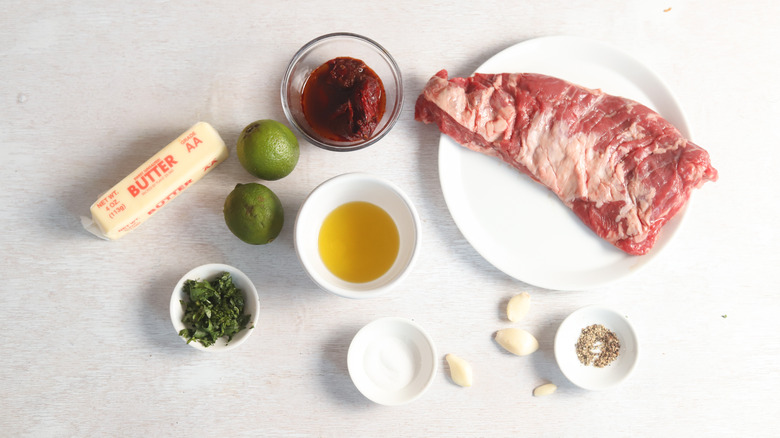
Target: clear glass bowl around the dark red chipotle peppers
x,y
321,50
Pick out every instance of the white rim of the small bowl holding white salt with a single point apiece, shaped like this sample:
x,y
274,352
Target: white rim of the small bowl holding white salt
x,y
393,325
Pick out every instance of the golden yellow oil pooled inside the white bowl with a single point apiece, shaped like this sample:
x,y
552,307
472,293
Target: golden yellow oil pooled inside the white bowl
x,y
358,242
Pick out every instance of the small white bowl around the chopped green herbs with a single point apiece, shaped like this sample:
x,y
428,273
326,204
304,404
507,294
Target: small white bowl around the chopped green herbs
x,y
210,272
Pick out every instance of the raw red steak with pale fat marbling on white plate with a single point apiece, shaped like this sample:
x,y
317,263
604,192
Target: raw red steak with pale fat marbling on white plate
x,y
622,168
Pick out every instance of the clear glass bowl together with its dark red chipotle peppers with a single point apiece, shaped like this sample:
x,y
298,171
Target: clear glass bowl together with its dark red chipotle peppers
x,y
342,92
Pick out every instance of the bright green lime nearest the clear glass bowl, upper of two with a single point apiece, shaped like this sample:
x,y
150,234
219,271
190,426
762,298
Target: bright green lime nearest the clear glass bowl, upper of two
x,y
268,149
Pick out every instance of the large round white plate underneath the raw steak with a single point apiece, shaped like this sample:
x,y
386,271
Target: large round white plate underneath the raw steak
x,y
518,225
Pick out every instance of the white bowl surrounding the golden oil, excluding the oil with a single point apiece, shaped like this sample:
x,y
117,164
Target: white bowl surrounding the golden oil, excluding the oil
x,y
341,190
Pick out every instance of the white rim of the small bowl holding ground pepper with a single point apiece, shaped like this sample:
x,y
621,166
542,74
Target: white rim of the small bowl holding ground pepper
x,y
562,341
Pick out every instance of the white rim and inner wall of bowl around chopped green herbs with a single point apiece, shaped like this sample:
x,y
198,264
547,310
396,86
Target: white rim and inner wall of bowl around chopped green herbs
x,y
208,271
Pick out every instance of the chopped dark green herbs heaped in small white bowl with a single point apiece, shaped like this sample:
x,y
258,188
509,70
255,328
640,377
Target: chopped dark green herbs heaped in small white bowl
x,y
215,309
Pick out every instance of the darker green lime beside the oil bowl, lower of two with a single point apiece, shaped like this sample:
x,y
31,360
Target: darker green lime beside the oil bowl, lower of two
x,y
254,213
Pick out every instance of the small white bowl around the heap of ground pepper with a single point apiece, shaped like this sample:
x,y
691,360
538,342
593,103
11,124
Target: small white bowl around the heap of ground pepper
x,y
588,376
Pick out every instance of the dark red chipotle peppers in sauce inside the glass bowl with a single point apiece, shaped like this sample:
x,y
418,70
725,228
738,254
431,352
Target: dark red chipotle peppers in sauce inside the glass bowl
x,y
343,100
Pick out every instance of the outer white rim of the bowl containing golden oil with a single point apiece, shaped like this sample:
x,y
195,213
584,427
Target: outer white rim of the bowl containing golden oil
x,y
340,291
